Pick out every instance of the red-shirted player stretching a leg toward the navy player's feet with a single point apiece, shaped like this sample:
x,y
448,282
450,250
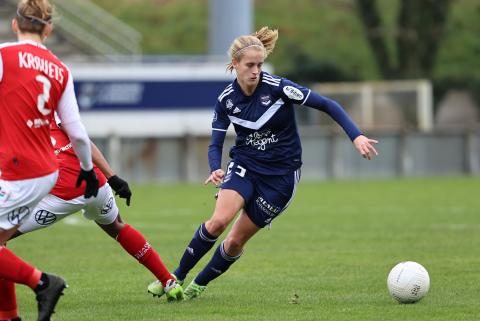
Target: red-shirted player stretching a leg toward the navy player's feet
x,y
64,200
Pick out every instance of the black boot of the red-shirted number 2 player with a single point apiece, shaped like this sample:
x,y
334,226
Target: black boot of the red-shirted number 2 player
x,y
47,298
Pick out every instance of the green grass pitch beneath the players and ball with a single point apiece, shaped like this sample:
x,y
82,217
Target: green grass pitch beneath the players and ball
x,y
326,258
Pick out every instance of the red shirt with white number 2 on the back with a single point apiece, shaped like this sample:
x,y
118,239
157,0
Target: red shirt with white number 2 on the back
x,y
32,82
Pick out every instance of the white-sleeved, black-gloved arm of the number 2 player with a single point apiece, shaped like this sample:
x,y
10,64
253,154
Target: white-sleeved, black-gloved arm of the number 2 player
x,y
70,118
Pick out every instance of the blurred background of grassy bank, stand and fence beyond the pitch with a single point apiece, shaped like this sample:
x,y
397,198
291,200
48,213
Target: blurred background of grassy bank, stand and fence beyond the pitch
x,y
148,72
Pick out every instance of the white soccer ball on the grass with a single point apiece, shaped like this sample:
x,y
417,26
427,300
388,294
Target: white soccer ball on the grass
x,y
408,282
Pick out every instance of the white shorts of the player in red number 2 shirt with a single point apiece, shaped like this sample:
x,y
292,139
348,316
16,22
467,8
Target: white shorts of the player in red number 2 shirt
x,y
18,198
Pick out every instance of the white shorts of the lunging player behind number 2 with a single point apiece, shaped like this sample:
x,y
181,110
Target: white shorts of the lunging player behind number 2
x,y
51,209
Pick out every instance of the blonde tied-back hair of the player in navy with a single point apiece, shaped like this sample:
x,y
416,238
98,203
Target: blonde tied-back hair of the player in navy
x,y
264,39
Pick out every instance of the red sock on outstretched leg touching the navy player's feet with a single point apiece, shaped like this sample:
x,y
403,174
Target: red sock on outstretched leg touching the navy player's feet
x,y
135,244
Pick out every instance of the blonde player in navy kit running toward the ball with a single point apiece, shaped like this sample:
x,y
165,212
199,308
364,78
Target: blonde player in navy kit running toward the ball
x,y
264,169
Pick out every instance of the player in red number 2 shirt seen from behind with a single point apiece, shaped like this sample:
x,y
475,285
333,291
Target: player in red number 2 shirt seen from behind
x,y
33,84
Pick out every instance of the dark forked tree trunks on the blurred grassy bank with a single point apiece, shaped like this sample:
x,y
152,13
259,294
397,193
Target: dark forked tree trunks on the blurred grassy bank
x,y
420,27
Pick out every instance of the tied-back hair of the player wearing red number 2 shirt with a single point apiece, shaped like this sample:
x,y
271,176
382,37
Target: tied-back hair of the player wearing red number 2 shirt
x,y
34,15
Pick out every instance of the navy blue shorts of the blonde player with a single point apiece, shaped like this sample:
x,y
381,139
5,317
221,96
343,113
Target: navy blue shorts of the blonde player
x,y
266,196
